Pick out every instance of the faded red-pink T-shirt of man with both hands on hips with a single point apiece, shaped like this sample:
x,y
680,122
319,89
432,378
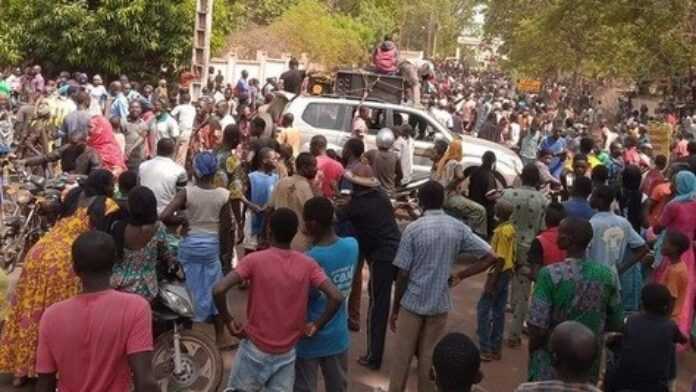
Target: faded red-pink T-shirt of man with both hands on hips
x,y
278,296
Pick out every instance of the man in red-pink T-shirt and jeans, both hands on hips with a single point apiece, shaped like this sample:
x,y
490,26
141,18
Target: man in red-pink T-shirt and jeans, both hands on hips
x,y
278,276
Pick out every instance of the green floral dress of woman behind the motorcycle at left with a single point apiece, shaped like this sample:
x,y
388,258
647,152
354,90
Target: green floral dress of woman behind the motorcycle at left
x,y
137,271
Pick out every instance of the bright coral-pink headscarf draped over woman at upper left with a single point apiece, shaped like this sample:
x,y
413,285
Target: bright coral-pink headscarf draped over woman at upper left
x,y
101,139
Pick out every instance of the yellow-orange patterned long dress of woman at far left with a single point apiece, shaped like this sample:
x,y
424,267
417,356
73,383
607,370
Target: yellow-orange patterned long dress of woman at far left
x,y
47,278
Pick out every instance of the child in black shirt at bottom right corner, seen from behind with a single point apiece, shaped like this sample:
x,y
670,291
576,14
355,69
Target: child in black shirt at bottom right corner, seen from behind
x,y
647,361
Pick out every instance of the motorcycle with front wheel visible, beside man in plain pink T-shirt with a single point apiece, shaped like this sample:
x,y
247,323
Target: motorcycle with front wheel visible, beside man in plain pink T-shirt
x,y
184,359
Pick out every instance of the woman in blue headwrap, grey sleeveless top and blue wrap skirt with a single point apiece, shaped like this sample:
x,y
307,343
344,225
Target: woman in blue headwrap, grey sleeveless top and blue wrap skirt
x,y
207,208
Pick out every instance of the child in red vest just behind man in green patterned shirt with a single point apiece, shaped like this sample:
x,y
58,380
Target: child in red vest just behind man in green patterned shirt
x,y
544,250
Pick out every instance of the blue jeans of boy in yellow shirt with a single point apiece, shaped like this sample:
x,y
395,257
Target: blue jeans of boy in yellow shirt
x,y
491,315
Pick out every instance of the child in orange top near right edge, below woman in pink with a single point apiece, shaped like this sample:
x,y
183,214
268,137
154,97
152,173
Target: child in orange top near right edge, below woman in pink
x,y
676,277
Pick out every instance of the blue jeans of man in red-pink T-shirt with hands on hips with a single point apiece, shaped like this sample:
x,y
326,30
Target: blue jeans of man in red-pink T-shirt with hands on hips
x,y
255,370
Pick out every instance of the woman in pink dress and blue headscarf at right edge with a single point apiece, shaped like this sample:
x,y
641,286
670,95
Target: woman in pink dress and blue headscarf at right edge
x,y
680,215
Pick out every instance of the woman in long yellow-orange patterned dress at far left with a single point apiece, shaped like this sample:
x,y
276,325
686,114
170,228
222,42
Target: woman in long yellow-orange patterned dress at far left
x,y
47,276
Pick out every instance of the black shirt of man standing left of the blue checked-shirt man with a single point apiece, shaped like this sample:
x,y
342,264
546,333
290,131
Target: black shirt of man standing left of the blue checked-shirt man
x,y
372,216
